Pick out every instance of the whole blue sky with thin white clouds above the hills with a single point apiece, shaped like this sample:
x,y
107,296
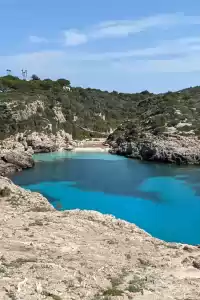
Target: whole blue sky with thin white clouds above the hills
x,y
127,46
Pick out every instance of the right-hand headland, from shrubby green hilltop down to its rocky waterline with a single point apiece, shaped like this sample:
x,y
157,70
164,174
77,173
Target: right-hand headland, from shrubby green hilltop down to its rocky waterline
x,y
164,128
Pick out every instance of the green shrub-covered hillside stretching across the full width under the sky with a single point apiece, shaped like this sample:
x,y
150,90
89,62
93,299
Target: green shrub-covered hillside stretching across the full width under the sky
x,y
47,105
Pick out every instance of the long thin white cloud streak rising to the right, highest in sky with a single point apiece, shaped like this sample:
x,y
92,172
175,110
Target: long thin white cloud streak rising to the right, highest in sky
x,y
124,28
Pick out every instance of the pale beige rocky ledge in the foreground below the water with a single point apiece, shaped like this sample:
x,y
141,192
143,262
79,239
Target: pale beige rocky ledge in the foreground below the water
x,y
73,255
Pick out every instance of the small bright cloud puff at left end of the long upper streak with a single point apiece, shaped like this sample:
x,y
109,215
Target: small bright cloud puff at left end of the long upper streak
x,y
74,38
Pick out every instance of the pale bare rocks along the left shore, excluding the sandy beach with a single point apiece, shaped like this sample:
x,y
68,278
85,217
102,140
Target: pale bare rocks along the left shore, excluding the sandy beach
x,y
16,151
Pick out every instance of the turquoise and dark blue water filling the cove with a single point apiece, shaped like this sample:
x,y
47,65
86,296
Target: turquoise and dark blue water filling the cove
x,y
162,199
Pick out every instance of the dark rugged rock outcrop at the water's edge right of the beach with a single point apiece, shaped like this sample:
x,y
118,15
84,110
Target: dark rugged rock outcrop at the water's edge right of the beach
x,y
167,148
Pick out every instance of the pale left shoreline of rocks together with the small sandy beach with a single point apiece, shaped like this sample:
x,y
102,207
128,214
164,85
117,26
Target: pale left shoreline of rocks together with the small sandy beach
x,y
16,152
